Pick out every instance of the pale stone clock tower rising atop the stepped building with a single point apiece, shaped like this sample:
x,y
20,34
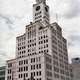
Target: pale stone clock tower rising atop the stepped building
x,y
41,12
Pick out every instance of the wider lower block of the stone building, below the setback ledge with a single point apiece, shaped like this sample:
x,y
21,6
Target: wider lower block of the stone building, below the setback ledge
x,y
37,67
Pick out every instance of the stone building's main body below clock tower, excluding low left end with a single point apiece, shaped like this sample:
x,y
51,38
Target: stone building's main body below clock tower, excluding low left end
x,y
38,42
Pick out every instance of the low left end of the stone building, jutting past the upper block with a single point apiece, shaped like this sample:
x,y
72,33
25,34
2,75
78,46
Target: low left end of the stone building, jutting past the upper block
x,y
11,69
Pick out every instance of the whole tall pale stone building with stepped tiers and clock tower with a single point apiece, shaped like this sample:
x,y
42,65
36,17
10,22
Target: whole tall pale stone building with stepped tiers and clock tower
x,y
41,53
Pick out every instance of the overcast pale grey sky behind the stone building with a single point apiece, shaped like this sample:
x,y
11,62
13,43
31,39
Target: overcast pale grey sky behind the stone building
x,y
16,14
